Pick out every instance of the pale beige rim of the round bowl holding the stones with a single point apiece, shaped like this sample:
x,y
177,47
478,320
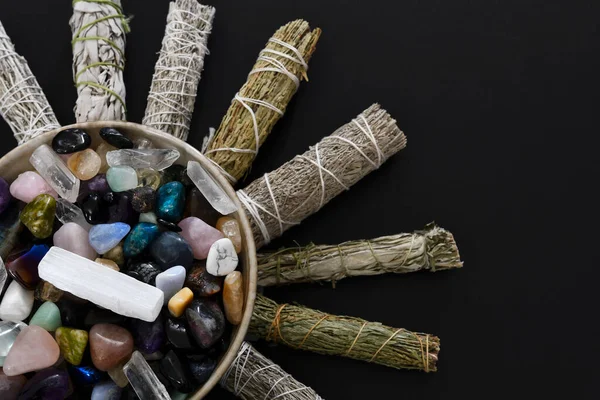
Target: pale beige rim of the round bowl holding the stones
x,y
250,247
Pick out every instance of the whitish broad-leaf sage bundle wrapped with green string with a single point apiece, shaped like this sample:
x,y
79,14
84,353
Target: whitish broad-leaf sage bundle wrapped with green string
x,y
99,29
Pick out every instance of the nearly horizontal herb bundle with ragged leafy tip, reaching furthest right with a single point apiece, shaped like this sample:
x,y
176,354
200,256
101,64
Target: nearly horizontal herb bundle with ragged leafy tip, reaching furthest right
x,y
432,249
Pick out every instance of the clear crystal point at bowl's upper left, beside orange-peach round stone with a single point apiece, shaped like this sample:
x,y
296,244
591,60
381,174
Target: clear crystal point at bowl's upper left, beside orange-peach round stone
x,y
54,171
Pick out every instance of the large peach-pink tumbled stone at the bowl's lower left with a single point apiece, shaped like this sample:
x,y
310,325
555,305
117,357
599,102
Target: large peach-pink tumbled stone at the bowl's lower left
x,y
34,349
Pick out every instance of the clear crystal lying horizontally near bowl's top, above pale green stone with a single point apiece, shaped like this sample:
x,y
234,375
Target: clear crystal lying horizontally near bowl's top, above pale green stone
x,y
157,159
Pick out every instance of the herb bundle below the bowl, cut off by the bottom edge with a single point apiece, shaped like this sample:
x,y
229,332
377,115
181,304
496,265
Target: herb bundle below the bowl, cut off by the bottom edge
x,y
253,376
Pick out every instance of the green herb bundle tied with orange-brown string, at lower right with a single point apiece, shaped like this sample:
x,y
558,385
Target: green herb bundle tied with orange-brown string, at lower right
x,y
303,328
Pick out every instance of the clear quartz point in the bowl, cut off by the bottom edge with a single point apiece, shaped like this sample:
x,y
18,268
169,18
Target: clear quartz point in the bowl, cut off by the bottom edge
x,y
143,380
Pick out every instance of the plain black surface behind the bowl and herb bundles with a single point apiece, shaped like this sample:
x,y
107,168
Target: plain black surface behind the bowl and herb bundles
x,y
499,101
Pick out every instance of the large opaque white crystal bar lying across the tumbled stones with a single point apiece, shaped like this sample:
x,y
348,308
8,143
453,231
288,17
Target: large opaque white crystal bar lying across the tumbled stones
x,y
102,286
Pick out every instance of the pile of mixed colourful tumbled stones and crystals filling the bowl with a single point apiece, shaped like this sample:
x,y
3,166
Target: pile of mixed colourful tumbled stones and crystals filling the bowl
x,y
113,261
